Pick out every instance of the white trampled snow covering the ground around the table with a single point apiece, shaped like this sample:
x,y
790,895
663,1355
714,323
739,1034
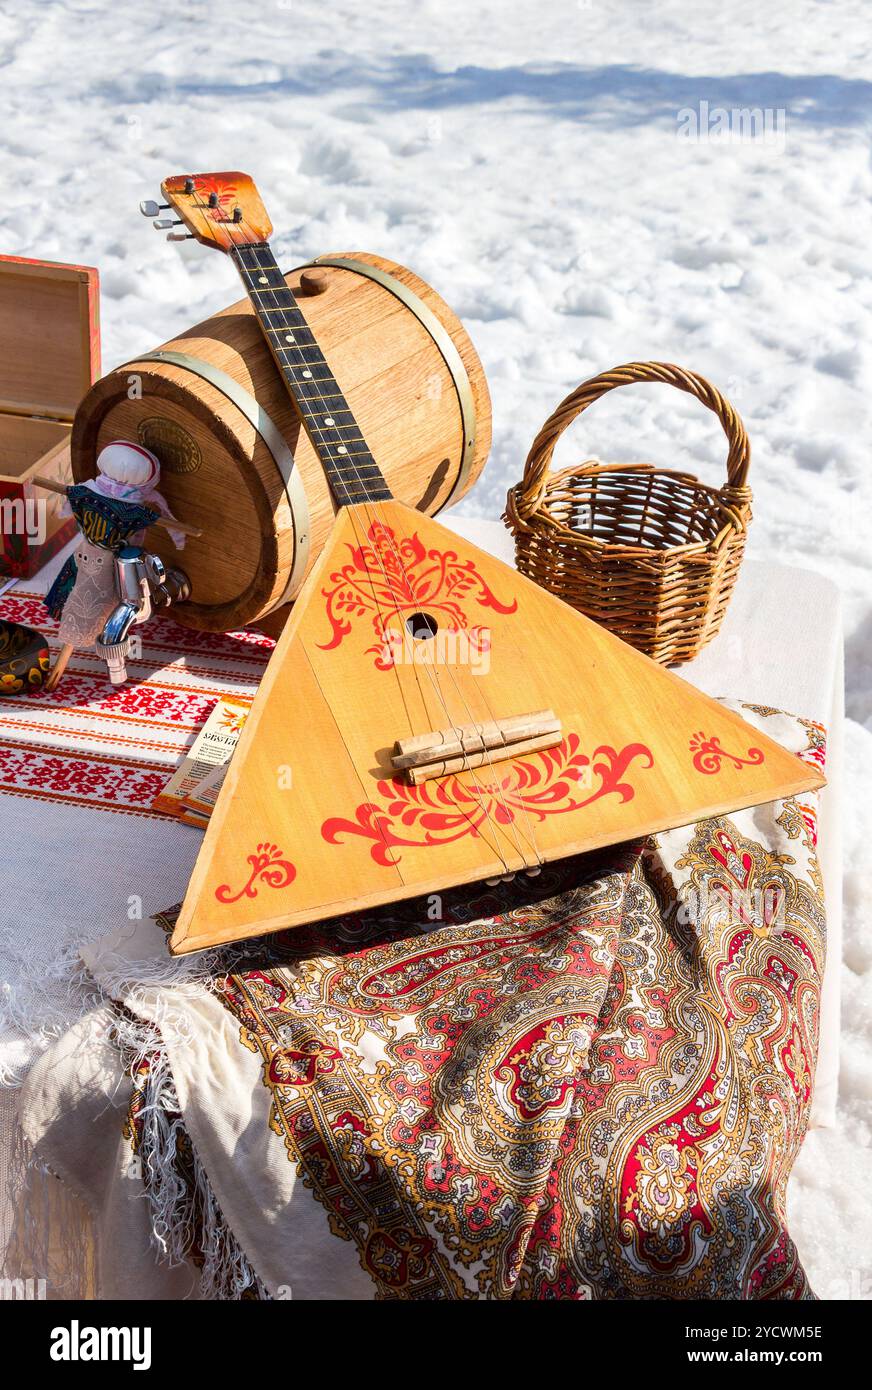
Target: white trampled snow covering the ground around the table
x,y
533,165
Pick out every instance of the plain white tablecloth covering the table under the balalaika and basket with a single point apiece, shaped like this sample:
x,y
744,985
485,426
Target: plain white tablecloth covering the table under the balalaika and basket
x,y
781,646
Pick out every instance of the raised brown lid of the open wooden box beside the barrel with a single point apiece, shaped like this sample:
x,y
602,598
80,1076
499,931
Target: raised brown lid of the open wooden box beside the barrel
x,y
49,337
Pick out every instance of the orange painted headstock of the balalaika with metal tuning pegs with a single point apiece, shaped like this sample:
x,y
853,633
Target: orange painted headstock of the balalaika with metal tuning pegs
x,y
222,211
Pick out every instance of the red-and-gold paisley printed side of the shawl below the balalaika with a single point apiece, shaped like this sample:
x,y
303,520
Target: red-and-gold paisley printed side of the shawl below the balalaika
x,y
593,1095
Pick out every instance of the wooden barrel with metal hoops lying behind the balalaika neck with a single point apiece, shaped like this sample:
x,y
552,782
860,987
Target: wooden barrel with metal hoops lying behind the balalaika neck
x,y
236,459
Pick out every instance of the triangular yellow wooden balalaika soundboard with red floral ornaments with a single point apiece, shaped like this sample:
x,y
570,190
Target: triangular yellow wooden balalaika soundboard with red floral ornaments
x,y
311,824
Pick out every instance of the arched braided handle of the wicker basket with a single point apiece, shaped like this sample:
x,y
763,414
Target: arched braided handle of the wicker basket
x,y
736,493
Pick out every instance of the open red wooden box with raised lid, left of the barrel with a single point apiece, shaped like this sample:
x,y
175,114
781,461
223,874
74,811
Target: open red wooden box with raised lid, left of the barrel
x,y
49,358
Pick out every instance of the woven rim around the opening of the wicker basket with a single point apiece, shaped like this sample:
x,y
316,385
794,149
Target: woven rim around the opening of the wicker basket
x,y
735,518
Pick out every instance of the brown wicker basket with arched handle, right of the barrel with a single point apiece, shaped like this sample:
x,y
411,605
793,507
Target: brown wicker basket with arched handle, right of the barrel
x,y
650,554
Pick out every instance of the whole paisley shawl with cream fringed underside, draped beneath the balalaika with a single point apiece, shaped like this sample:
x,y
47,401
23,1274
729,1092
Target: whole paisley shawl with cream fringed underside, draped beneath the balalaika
x,y
590,1090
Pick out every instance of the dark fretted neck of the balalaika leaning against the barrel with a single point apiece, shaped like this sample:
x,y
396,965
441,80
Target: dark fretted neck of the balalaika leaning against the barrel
x,y
353,473
